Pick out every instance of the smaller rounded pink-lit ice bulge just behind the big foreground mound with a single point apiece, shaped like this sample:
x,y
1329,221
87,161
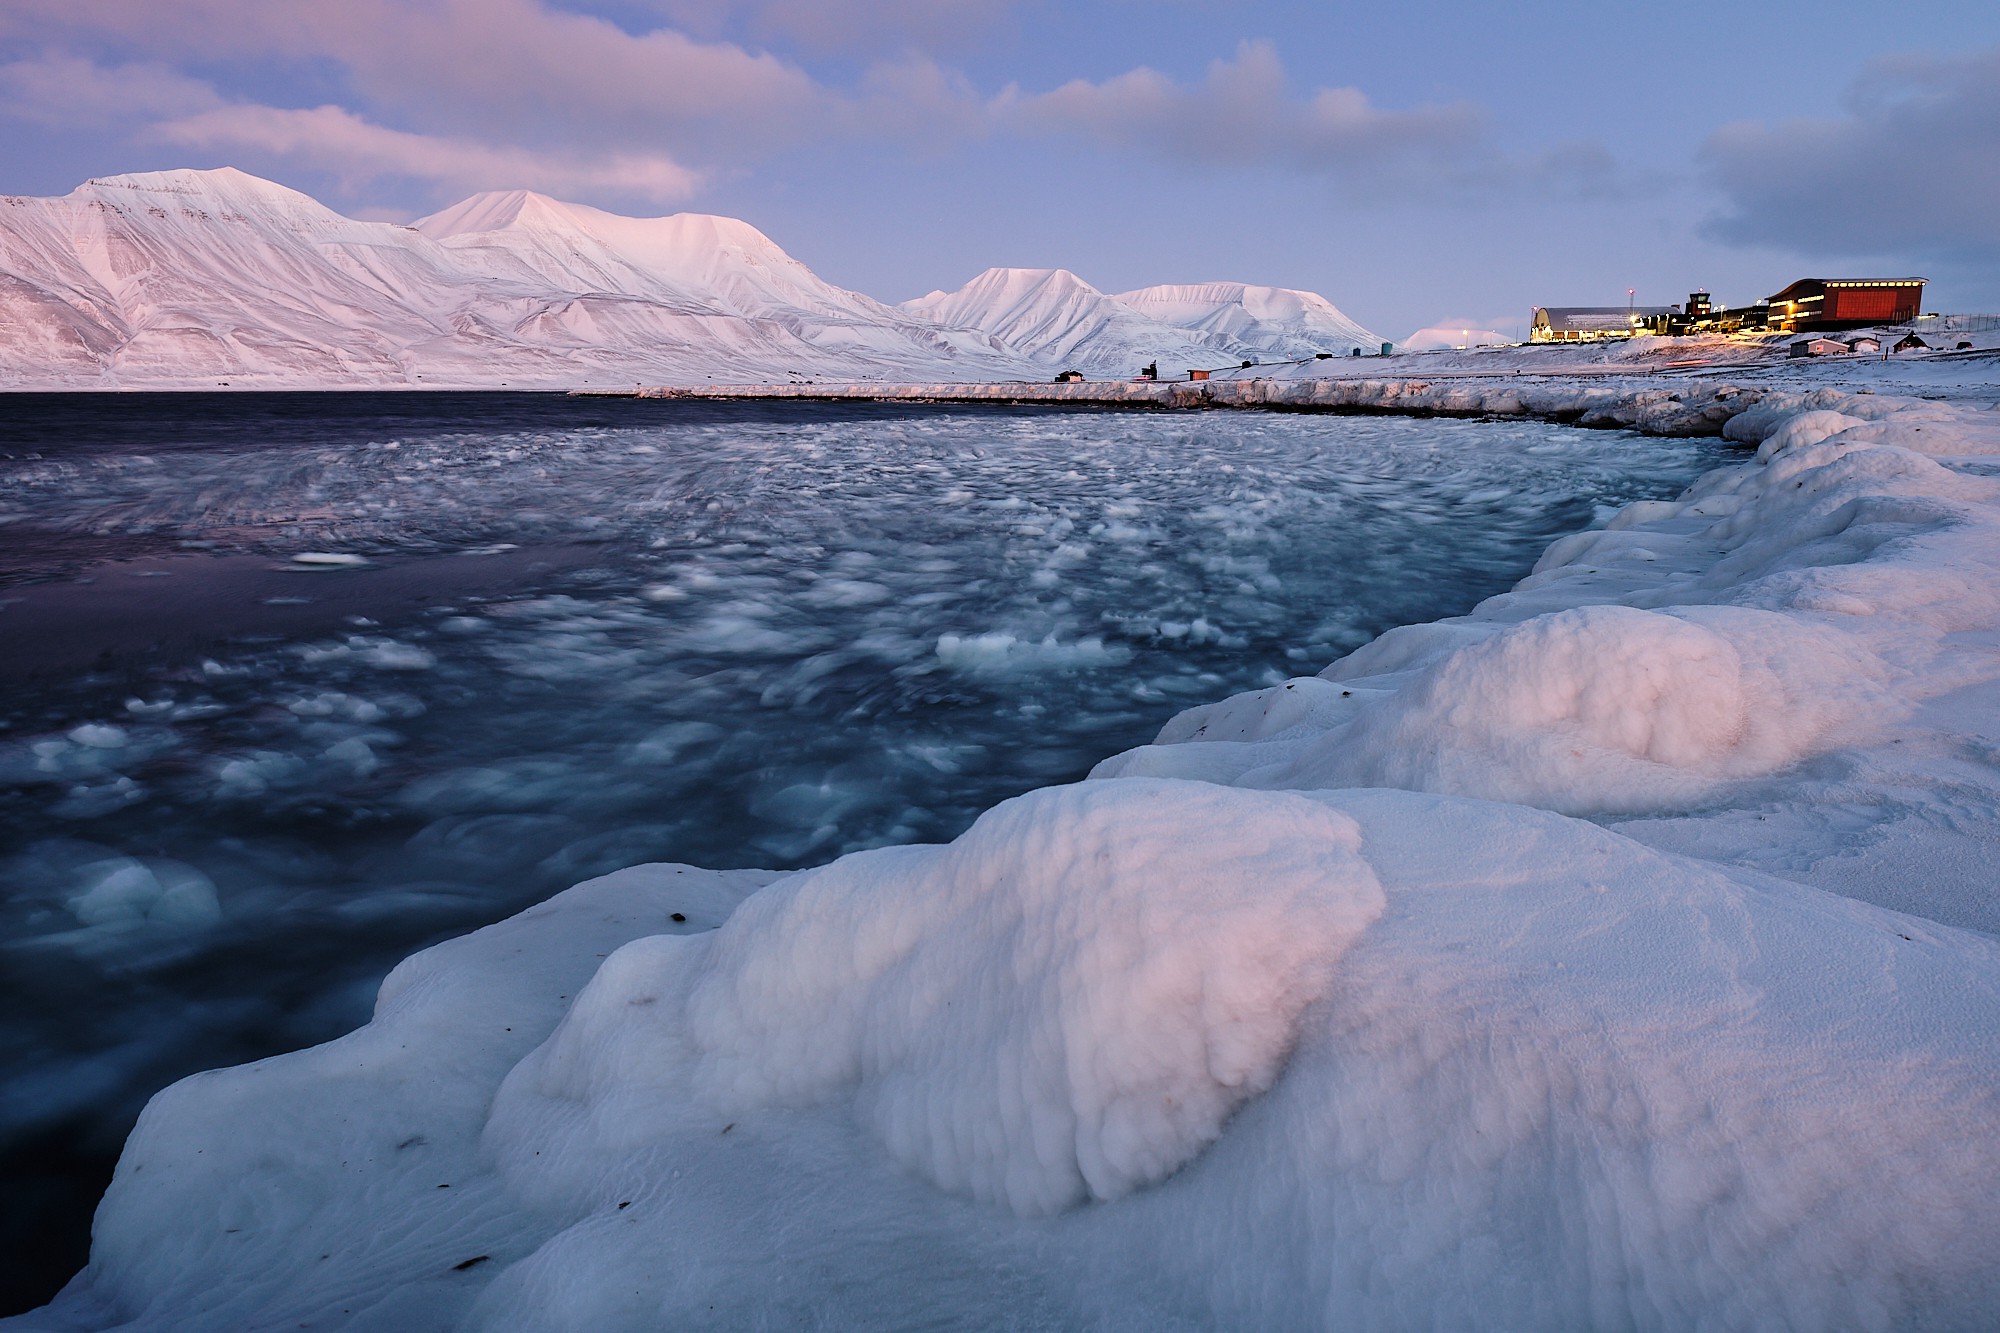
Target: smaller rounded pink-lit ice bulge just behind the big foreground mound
x,y
1607,710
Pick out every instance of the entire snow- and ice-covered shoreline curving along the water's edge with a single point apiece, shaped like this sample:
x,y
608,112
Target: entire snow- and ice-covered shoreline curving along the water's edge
x,y
1529,970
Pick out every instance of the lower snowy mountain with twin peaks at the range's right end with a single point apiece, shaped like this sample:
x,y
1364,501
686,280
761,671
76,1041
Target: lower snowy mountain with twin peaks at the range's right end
x,y
1059,319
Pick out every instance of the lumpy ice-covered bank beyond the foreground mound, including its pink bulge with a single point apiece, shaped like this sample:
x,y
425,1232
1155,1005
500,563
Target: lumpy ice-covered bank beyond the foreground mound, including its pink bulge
x,y
1773,613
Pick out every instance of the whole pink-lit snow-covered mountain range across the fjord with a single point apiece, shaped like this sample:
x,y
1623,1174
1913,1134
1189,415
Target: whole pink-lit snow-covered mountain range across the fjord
x,y
197,279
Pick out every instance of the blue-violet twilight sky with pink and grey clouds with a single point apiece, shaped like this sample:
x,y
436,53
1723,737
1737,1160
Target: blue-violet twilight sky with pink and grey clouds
x,y
1421,163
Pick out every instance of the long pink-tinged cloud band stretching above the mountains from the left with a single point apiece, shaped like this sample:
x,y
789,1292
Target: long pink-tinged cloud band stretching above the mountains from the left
x,y
511,91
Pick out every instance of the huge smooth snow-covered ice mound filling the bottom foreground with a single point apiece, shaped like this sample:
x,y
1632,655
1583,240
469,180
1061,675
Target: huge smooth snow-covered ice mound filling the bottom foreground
x,y
1539,1078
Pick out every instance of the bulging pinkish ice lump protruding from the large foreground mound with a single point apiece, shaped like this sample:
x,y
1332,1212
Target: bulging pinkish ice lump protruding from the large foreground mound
x,y
1063,1006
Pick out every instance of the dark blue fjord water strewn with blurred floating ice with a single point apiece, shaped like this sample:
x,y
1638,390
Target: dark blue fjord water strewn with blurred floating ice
x,y
537,639
